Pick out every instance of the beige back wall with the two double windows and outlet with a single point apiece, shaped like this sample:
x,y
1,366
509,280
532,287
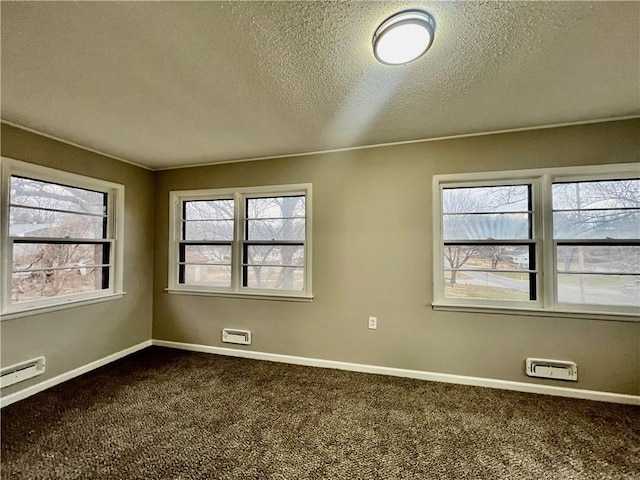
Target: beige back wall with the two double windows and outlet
x,y
372,255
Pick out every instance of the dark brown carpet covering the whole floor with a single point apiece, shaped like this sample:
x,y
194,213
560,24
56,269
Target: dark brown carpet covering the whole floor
x,y
168,414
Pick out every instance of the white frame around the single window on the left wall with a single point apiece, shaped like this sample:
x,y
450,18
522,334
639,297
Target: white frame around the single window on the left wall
x,y
115,235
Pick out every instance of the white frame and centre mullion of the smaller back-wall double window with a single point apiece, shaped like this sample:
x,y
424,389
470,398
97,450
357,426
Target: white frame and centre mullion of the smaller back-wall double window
x,y
239,195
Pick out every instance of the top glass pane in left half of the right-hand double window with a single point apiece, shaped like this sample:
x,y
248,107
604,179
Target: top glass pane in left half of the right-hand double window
x,y
512,198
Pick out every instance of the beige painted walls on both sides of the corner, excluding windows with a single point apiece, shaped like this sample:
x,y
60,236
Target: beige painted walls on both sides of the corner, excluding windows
x,y
367,203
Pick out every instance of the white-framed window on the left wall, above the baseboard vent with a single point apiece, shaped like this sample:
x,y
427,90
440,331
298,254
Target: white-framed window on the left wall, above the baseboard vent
x,y
59,242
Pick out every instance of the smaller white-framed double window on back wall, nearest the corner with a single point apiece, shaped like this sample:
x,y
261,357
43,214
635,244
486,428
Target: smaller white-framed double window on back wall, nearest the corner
x,y
245,241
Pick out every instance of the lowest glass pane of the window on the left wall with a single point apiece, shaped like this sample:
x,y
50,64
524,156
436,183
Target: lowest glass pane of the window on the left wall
x,y
37,285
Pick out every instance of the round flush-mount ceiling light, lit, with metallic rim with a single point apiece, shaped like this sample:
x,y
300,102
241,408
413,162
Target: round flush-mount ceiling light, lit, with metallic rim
x,y
403,37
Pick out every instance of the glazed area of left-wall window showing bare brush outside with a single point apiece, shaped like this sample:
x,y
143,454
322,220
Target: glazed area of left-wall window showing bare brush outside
x,y
57,234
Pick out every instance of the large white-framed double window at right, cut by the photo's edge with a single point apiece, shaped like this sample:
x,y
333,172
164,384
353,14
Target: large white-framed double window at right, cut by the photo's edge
x,y
560,239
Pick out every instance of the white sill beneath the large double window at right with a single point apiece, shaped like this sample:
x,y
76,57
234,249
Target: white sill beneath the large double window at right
x,y
537,312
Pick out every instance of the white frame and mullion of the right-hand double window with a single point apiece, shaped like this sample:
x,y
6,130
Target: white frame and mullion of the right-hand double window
x,y
542,180
